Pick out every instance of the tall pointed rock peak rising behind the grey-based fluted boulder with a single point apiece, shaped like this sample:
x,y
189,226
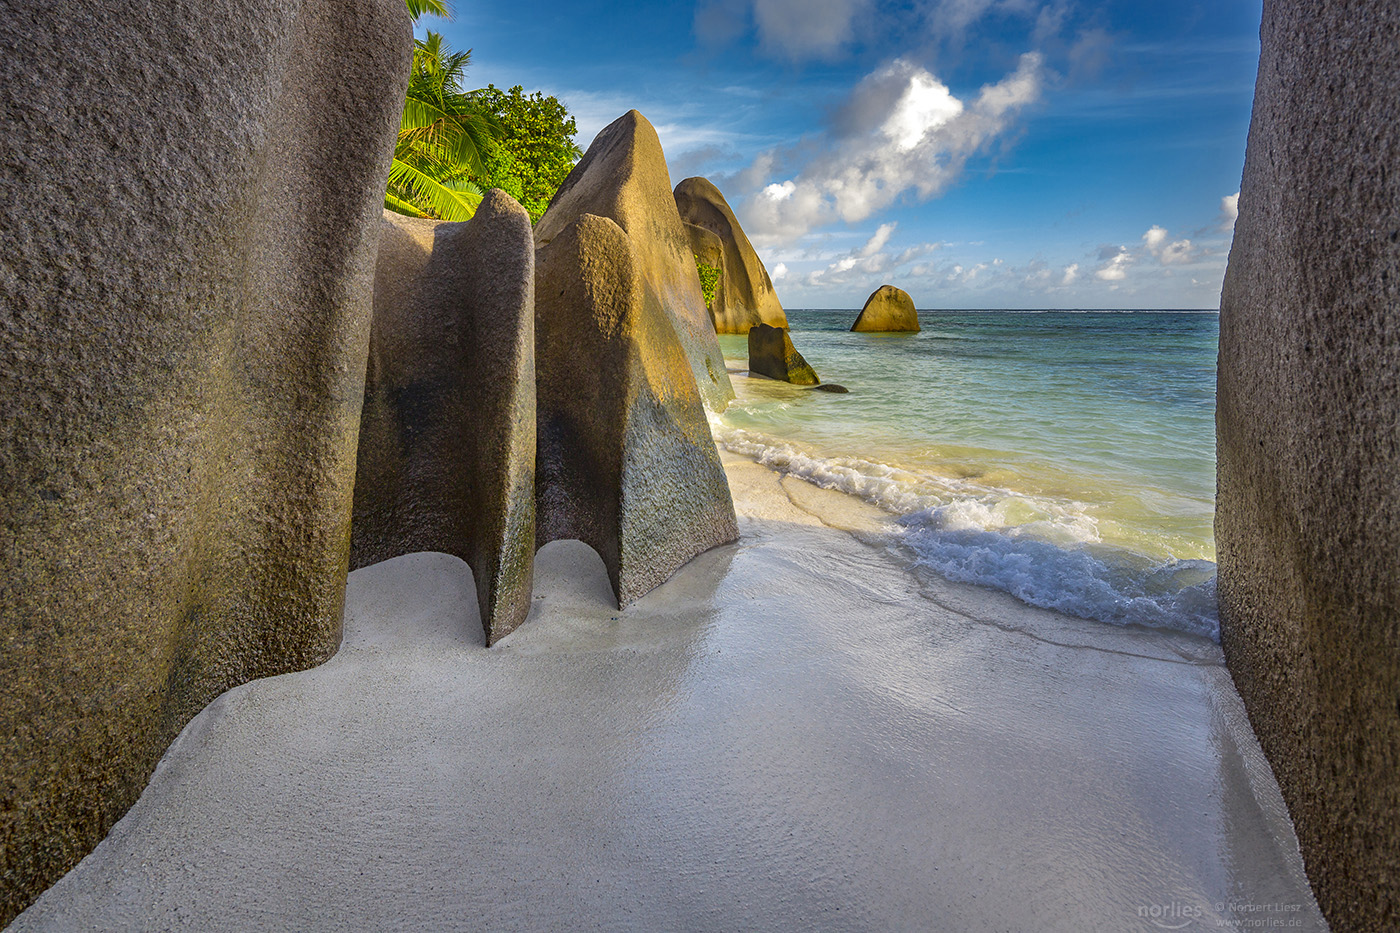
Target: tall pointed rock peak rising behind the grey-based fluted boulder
x,y
624,177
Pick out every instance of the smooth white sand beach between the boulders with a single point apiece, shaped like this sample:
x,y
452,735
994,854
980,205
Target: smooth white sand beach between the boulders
x,y
794,733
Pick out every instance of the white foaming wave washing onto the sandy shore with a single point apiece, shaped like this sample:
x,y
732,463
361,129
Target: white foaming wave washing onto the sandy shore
x,y
1048,553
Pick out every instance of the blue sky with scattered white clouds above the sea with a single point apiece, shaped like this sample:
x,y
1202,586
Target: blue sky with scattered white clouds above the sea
x,y
976,153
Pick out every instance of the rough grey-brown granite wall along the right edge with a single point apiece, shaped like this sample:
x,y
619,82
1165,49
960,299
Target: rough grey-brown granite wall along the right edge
x,y
1308,511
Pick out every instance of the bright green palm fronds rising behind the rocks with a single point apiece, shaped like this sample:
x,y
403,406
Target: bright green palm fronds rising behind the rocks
x,y
443,137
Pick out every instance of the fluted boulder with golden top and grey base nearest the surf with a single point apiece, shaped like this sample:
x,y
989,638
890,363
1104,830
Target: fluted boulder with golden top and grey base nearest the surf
x,y
626,462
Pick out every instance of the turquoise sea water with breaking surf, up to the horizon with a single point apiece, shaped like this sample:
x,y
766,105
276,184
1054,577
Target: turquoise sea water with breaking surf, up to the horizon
x,y
1065,457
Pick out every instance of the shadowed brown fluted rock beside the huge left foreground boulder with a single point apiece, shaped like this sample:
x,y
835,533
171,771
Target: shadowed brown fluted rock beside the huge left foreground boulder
x,y
447,438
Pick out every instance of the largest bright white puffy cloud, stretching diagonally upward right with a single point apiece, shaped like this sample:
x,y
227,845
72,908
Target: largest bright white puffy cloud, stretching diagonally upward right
x,y
902,131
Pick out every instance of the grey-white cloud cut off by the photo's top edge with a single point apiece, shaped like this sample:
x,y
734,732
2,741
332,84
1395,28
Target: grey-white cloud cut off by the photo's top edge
x,y
796,30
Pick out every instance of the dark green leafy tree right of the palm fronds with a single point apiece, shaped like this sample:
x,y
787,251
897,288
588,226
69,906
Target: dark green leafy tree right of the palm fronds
x,y
535,149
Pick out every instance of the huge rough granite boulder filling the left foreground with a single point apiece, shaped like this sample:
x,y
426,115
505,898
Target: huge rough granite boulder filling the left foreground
x,y
188,232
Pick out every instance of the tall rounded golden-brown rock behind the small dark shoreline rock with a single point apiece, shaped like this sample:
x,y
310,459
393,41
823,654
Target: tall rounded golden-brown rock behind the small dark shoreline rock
x,y
745,293
